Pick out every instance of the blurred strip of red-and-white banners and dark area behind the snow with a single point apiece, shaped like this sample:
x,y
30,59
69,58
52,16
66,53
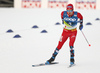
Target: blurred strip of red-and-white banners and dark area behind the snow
x,y
79,4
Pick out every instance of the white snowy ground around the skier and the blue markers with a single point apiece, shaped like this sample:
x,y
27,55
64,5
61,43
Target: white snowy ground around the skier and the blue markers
x,y
18,54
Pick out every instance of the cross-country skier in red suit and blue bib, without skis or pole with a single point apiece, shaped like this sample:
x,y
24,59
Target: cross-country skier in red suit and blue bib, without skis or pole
x,y
69,19
